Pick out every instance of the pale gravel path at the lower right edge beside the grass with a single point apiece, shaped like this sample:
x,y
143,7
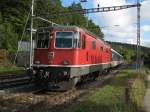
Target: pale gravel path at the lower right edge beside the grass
x,y
147,96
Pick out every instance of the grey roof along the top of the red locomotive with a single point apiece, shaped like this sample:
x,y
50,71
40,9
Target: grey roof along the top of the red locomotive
x,y
72,28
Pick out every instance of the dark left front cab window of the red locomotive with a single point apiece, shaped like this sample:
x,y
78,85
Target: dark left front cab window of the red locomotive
x,y
42,39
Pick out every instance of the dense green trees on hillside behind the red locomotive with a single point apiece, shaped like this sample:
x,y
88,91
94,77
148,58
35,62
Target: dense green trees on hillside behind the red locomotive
x,y
13,15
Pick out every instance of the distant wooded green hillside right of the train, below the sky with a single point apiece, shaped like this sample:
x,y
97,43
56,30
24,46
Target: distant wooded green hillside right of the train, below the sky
x,y
128,51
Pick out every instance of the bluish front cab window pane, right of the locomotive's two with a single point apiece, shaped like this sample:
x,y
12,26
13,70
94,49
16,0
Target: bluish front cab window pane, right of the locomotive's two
x,y
64,39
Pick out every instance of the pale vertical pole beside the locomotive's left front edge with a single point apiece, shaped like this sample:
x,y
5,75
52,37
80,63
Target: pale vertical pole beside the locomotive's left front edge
x,y
31,36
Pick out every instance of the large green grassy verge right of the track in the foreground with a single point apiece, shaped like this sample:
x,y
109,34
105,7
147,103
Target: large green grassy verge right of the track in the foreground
x,y
111,97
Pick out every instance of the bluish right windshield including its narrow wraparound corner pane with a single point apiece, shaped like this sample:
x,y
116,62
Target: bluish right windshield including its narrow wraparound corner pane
x,y
66,40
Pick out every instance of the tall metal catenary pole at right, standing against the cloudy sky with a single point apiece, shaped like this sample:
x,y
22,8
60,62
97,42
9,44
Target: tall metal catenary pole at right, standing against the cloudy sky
x,y
138,58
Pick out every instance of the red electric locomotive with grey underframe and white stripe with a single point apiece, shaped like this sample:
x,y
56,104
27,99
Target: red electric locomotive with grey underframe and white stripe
x,y
65,53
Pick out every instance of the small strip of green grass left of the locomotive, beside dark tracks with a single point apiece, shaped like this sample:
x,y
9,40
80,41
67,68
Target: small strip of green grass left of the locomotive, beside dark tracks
x,y
13,69
